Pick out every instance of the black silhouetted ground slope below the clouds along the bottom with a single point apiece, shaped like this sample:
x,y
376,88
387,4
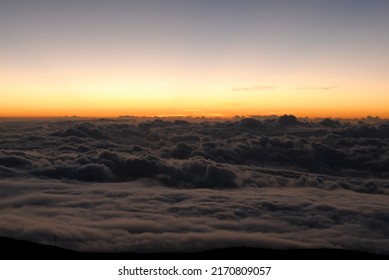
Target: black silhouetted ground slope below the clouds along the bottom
x,y
13,249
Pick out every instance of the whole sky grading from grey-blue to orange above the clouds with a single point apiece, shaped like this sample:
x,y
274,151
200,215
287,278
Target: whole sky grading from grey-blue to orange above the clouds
x,y
214,58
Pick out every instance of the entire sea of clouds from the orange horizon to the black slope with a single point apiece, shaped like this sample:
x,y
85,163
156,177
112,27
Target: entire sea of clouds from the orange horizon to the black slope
x,y
181,185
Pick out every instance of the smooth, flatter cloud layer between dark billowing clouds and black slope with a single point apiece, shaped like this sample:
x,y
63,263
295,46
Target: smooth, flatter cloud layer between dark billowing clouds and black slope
x,y
144,217
